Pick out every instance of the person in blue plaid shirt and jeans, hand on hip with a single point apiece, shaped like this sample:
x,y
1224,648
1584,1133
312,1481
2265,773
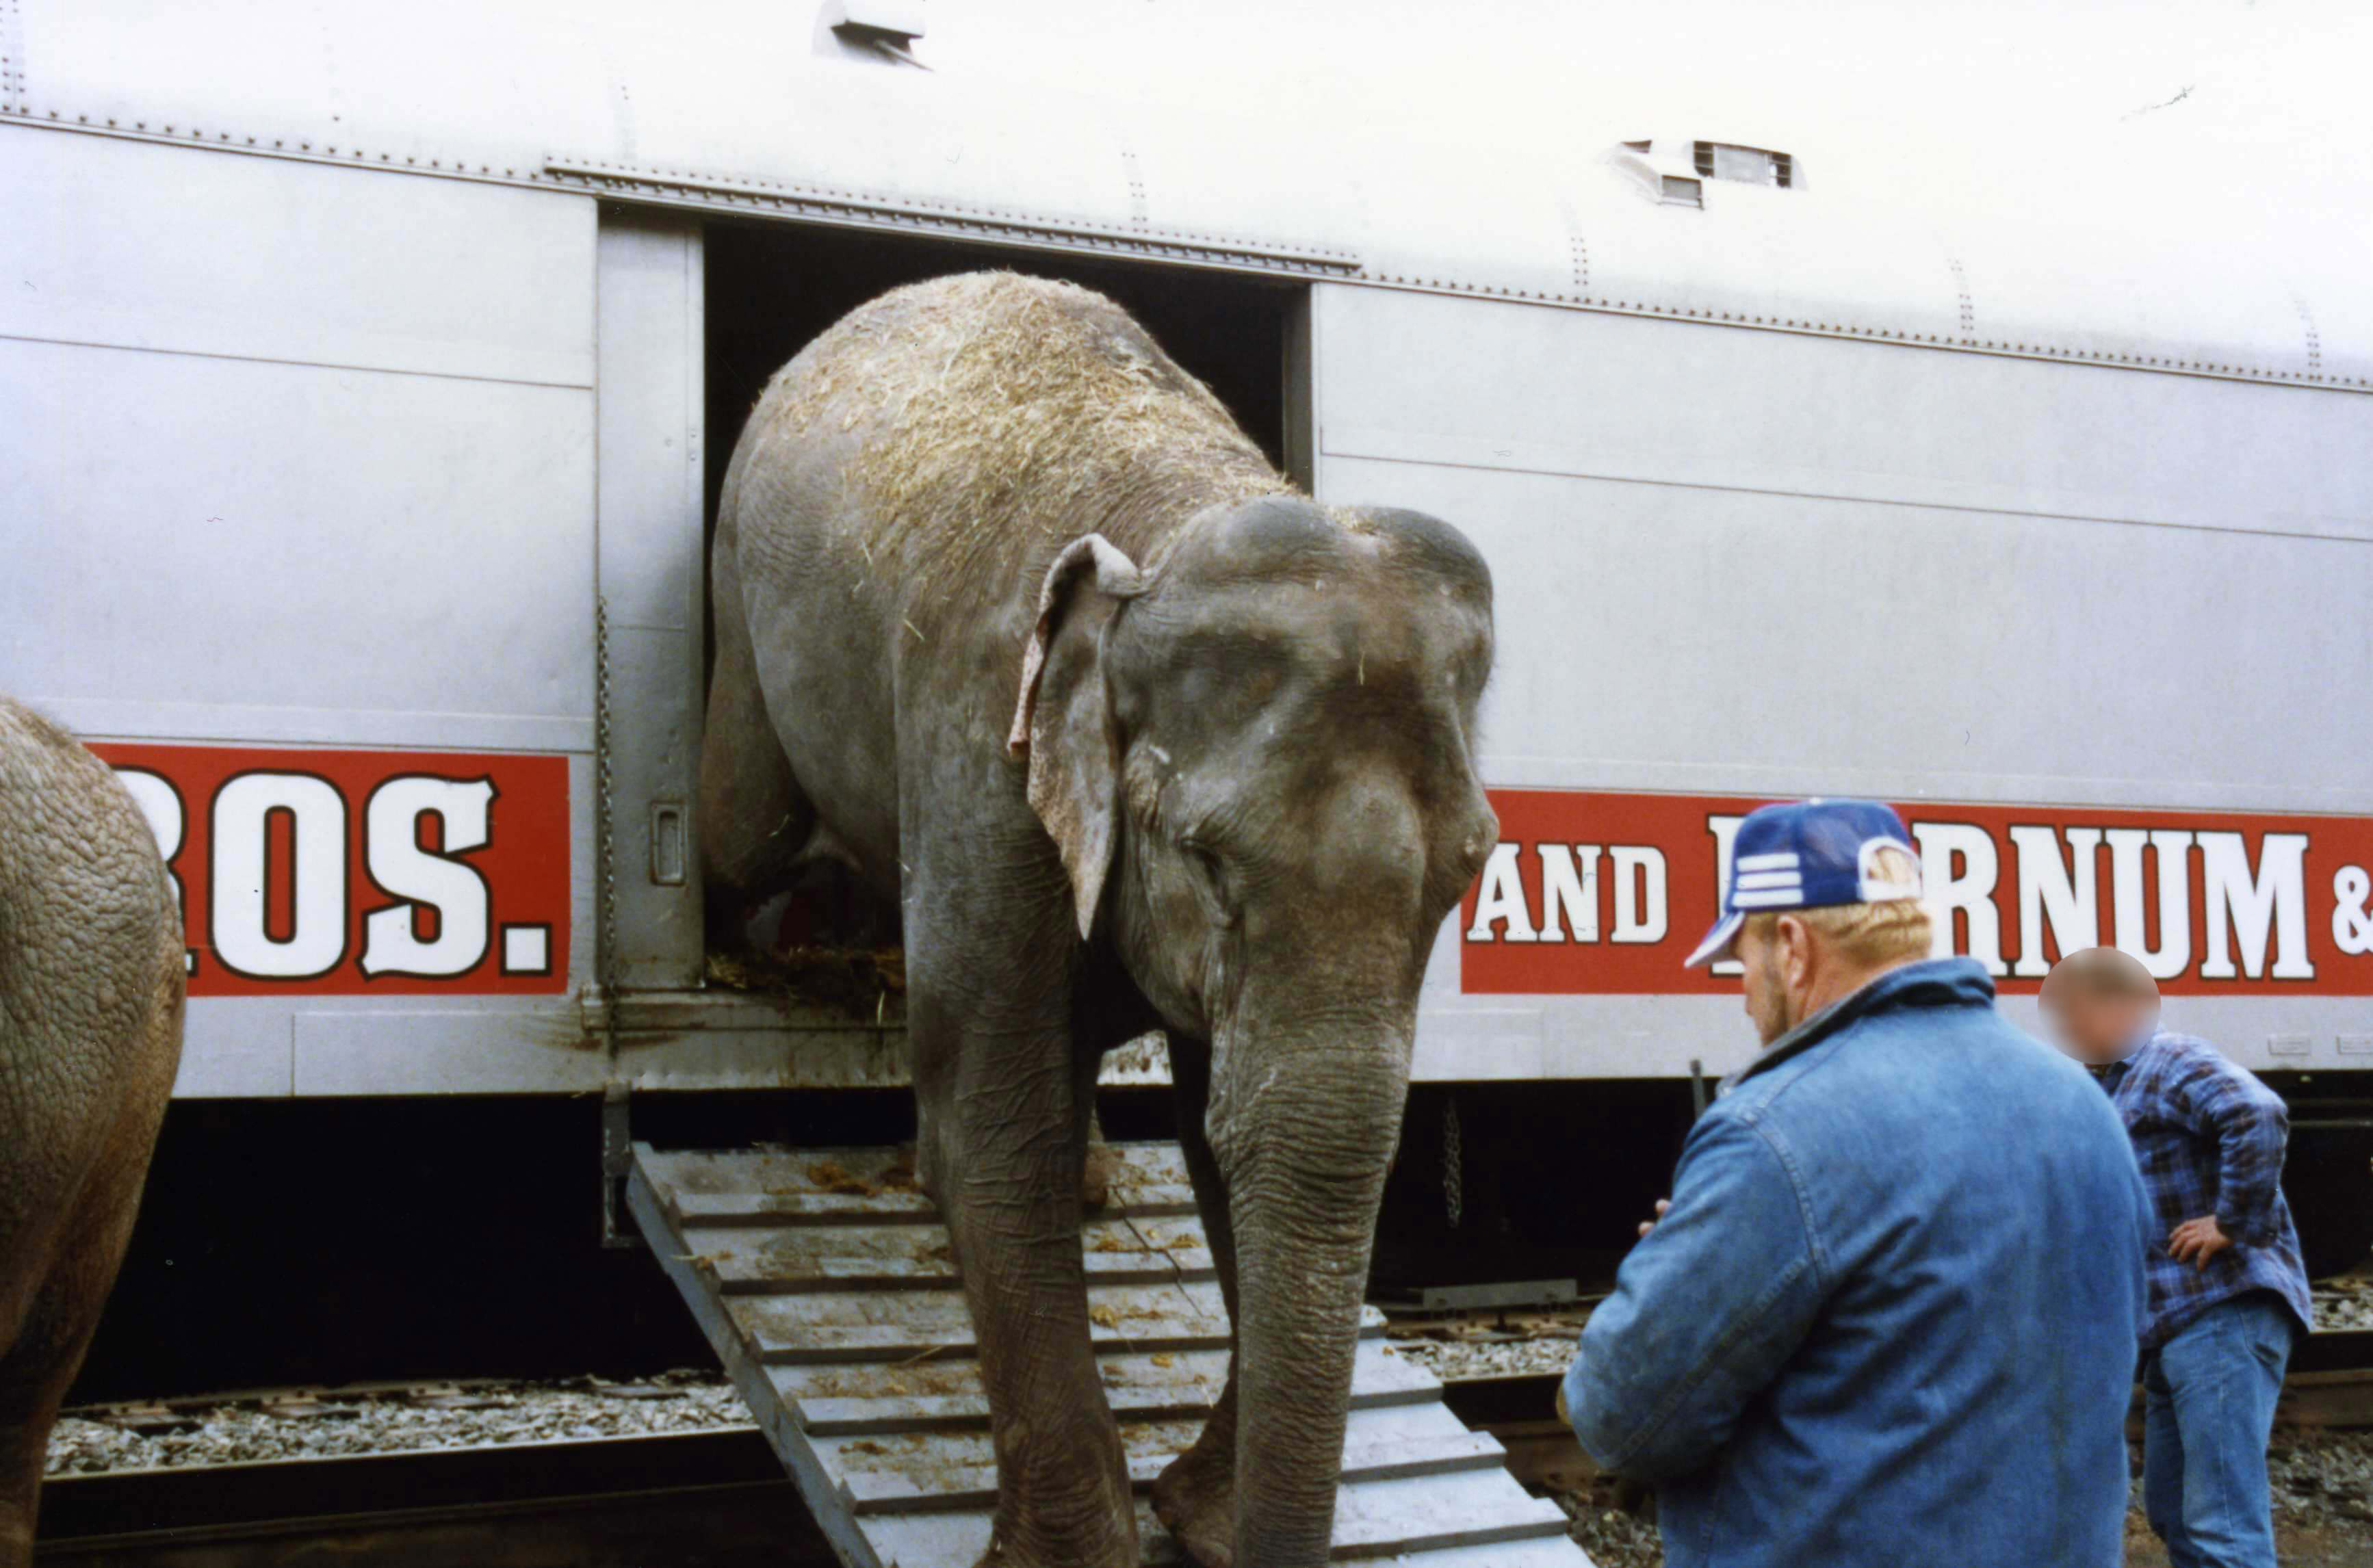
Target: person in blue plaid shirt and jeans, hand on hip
x,y
2227,1292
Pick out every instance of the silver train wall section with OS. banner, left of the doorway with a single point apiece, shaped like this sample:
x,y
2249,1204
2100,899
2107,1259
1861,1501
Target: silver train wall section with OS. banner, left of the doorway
x,y
305,537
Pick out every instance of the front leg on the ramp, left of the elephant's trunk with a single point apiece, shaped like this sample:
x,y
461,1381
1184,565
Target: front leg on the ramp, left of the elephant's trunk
x,y
1003,1154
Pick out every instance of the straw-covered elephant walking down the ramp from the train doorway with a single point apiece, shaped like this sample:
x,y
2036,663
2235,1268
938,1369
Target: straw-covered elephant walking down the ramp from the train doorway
x,y
1024,630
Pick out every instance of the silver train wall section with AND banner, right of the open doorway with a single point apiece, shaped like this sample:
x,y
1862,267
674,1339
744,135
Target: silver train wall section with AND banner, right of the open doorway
x,y
1729,561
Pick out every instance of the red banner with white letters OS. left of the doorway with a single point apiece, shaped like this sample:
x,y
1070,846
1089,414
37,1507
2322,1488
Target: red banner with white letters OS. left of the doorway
x,y
345,874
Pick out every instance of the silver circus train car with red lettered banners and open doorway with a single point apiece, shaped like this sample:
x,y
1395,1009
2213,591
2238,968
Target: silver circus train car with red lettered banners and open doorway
x,y
367,374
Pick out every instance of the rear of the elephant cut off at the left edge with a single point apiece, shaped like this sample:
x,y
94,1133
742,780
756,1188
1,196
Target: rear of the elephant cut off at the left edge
x,y
91,995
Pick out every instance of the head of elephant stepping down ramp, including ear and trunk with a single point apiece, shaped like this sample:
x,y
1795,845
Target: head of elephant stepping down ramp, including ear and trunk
x,y
1257,758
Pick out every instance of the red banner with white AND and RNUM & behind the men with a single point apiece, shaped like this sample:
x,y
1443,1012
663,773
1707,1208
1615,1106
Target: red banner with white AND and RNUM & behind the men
x,y
1608,893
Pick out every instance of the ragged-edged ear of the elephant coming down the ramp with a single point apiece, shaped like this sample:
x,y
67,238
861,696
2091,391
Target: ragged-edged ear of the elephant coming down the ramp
x,y
1064,722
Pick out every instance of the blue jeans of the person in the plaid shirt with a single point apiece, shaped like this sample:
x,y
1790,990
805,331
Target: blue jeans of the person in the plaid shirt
x,y
2208,1410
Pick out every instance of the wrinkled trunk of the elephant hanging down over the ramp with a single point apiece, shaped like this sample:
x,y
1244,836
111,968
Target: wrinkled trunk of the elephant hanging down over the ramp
x,y
1309,1142
